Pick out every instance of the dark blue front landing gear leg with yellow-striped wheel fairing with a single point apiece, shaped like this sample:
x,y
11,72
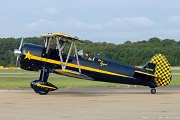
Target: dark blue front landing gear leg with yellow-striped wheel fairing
x,y
41,86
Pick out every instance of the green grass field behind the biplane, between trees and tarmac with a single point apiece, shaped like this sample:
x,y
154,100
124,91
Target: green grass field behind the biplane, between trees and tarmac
x,y
8,80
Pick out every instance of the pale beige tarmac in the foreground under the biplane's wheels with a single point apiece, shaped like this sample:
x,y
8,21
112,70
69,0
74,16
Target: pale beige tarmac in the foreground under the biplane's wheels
x,y
126,103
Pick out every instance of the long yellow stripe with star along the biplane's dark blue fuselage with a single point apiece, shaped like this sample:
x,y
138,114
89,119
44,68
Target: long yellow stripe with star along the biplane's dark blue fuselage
x,y
30,56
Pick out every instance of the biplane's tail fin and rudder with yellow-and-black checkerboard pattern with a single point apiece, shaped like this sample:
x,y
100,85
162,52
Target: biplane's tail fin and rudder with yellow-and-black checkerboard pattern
x,y
160,67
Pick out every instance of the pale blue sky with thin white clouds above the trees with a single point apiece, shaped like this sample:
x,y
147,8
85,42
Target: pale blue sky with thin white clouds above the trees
x,y
111,21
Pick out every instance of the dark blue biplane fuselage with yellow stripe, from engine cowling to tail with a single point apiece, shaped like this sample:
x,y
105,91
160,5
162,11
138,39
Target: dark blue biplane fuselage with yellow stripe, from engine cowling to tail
x,y
34,57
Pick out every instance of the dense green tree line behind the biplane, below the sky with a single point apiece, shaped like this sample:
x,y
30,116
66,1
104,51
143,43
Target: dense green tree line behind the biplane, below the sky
x,y
133,53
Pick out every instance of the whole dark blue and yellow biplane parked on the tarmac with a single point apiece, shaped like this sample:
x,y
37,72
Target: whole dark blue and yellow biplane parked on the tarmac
x,y
53,58
